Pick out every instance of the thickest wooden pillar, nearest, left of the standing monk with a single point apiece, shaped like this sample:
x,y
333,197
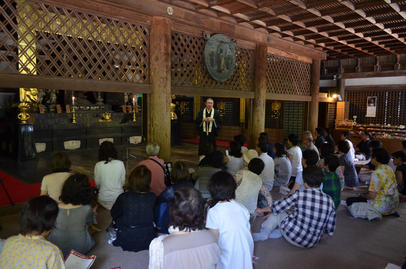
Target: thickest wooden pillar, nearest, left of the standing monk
x,y
160,59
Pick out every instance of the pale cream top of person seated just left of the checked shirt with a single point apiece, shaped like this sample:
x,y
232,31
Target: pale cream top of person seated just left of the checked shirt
x,y
247,191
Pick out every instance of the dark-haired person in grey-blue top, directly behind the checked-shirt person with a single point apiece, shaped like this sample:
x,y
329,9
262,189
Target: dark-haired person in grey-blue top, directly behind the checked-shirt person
x,y
283,167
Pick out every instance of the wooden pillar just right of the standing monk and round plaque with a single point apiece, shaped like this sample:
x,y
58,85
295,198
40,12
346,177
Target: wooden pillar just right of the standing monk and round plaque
x,y
258,115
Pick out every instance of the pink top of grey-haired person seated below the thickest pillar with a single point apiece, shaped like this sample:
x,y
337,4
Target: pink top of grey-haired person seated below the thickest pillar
x,y
157,174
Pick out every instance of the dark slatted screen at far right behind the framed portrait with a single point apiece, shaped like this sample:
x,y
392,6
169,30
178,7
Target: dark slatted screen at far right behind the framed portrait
x,y
391,106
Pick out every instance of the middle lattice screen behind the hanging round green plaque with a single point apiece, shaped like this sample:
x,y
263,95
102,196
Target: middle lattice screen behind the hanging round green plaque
x,y
188,67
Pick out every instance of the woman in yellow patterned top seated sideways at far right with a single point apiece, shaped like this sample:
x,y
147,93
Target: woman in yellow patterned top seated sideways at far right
x,y
382,195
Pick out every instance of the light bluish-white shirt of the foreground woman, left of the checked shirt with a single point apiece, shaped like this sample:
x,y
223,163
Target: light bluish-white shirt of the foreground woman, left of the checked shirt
x,y
231,219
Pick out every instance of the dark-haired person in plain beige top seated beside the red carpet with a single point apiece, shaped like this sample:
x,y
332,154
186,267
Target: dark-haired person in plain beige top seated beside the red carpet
x,y
52,184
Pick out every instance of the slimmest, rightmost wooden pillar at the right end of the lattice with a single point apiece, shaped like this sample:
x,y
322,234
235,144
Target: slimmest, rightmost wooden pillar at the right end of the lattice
x,y
315,89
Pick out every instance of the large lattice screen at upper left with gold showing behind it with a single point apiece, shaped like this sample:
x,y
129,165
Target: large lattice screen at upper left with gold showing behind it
x,y
42,39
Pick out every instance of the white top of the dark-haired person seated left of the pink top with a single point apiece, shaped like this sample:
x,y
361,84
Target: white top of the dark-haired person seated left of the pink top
x,y
109,178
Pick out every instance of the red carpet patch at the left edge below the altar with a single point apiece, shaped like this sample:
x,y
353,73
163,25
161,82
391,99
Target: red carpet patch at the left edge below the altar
x,y
19,191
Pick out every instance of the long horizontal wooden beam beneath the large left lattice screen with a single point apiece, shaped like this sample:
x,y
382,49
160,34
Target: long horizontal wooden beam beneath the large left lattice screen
x,y
59,83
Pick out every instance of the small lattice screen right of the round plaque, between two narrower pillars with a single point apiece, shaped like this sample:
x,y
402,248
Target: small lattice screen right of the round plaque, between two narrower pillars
x,y
287,76
